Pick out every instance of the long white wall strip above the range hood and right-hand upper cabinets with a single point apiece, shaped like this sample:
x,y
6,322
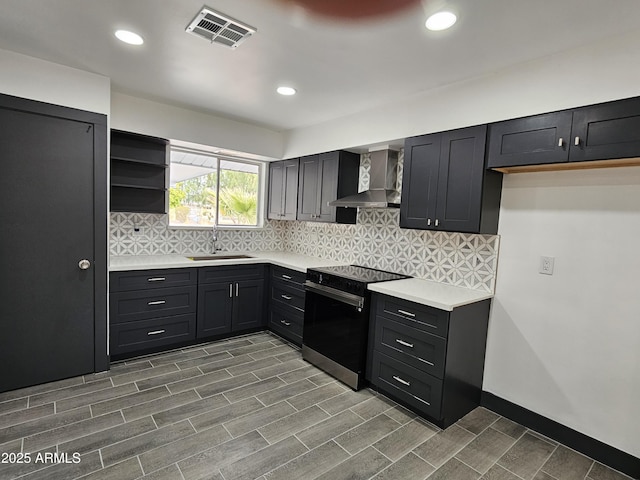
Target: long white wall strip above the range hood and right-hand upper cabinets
x,y
590,74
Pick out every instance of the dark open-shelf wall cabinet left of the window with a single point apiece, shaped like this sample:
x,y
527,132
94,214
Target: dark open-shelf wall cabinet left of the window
x,y
138,173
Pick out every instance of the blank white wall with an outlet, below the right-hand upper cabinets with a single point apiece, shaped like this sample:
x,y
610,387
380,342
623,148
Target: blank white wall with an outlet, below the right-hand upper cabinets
x,y
567,346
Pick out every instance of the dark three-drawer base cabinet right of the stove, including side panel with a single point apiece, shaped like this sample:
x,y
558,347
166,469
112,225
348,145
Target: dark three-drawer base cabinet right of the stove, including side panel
x,y
428,360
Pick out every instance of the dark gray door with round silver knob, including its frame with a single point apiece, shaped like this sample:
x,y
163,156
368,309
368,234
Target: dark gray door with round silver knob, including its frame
x,y
47,321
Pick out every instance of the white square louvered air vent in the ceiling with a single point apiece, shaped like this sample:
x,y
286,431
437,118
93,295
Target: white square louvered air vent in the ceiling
x,y
219,28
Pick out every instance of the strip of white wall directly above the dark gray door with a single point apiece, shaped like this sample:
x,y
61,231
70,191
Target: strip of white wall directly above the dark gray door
x,y
29,77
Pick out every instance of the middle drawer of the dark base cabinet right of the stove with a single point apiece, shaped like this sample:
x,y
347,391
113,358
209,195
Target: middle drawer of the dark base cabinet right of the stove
x,y
412,346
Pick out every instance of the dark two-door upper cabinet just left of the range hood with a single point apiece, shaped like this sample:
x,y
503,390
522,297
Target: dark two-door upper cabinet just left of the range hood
x,y
323,178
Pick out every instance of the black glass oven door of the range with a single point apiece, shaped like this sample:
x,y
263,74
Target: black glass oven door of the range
x,y
336,325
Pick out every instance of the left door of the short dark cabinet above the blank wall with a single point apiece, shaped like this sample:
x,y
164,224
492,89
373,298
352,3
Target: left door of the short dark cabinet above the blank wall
x,y
530,141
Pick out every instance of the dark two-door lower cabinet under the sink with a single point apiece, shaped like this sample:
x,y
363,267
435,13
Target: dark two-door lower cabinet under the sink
x,y
230,299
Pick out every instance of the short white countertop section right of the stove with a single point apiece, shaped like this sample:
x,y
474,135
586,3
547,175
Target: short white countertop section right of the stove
x,y
434,294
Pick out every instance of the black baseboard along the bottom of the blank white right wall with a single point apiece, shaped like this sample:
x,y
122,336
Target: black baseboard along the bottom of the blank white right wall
x,y
603,453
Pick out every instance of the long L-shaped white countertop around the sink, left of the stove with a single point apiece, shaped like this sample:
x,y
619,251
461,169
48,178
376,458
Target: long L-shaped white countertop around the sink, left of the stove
x,y
294,261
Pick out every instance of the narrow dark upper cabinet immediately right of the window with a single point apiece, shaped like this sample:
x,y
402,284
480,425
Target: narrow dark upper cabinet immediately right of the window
x,y
283,190
